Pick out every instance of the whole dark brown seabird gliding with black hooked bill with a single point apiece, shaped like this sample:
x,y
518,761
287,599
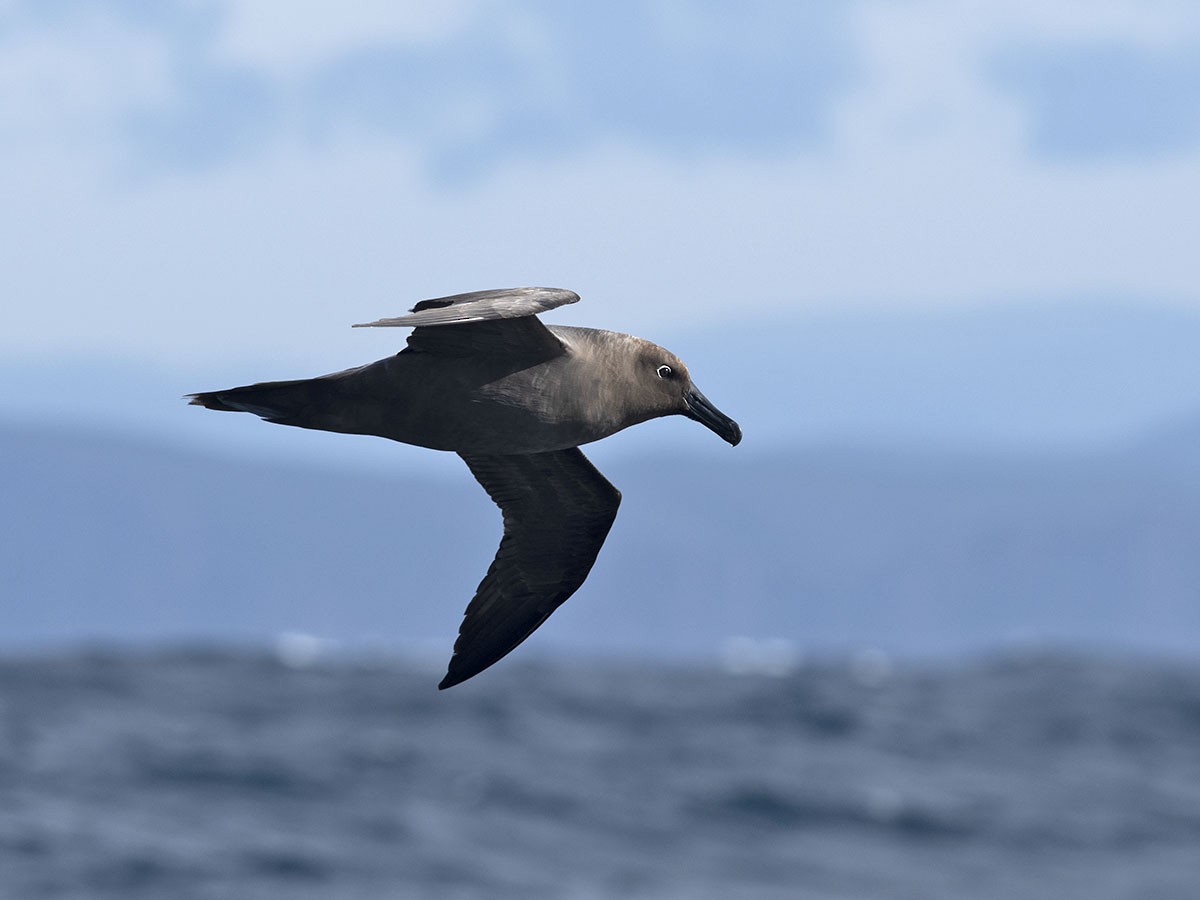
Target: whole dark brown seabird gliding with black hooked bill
x,y
483,377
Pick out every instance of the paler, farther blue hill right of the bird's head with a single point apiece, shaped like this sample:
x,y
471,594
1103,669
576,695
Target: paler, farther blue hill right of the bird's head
x,y
1018,375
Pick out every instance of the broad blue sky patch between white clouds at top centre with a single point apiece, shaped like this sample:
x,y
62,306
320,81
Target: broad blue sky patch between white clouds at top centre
x,y
549,80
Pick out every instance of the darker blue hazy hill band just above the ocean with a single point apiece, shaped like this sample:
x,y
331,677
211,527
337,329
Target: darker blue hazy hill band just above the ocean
x,y
836,548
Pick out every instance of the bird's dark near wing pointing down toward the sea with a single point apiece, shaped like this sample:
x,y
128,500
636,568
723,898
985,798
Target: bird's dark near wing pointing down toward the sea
x,y
557,513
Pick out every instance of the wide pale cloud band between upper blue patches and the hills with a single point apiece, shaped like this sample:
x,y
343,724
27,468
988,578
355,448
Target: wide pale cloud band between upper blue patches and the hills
x,y
273,263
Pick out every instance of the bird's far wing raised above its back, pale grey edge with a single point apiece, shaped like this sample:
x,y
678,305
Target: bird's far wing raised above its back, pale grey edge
x,y
502,321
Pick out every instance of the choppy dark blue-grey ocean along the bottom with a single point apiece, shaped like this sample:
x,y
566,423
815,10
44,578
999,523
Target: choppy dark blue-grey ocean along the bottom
x,y
209,773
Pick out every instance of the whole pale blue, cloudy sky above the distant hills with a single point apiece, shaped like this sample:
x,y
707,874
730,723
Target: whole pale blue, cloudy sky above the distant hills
x,y
230,185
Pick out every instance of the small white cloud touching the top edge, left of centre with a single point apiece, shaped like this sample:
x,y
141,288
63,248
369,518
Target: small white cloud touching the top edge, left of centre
x,y
283,37
